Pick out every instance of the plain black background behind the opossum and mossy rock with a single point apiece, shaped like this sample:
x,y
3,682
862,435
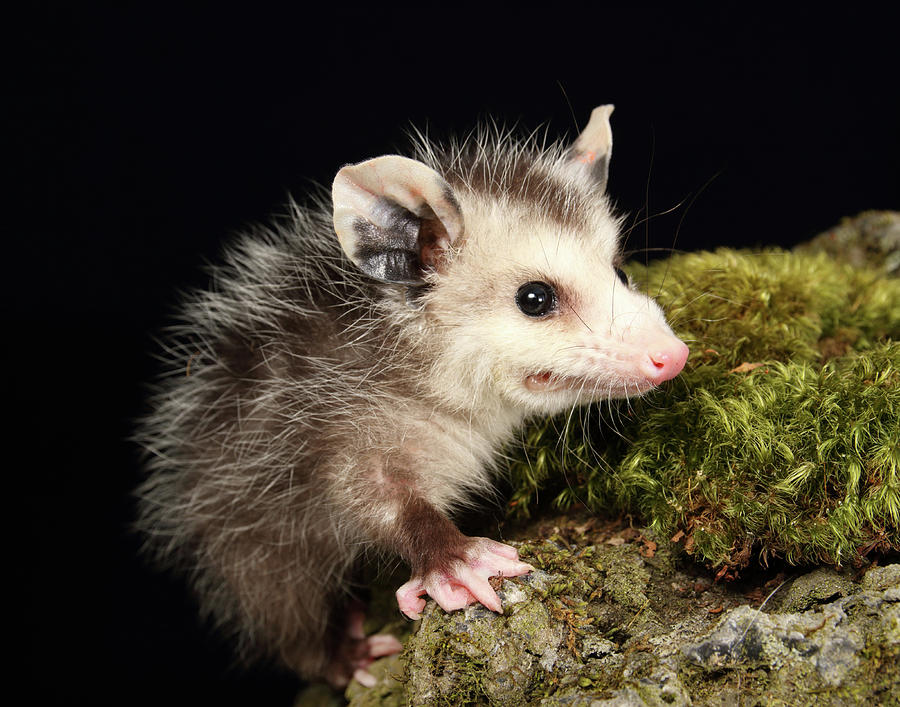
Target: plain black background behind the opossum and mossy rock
x,y
143,137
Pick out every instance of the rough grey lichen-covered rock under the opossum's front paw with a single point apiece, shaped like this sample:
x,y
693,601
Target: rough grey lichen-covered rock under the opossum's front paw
x,y
616,625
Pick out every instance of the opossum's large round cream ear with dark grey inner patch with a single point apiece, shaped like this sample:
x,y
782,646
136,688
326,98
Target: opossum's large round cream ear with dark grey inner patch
x,y
395,218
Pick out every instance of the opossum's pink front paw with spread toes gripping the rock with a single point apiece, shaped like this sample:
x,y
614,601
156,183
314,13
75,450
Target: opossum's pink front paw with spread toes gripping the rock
x,y
463,580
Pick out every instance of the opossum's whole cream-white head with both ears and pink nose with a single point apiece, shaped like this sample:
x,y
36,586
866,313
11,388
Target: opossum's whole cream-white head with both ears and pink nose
x,y
516,249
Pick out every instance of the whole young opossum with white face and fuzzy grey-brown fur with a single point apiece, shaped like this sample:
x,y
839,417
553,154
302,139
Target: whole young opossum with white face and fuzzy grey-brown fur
x,y
347,382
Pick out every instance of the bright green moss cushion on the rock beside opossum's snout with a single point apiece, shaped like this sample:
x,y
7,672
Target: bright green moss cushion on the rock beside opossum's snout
x,y
782,435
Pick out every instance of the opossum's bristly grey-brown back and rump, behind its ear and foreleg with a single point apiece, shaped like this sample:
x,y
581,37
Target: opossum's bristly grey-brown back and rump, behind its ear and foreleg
x,y
257,370
